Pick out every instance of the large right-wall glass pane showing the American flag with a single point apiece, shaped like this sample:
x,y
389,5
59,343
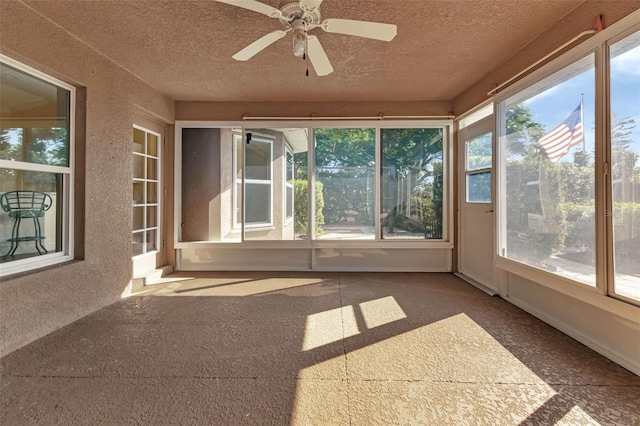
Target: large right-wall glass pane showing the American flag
x,y
549,173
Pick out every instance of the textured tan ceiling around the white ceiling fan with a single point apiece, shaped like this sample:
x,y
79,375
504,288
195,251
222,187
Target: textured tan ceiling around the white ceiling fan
x,y
184,48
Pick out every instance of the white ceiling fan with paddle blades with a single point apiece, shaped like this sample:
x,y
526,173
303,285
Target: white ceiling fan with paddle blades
x,y
301,17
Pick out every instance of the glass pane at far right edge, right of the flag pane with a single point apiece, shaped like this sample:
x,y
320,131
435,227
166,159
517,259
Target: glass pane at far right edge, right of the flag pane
x,y
625,164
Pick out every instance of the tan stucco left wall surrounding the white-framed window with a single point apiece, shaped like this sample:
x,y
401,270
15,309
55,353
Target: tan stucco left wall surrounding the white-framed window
x,y
34,304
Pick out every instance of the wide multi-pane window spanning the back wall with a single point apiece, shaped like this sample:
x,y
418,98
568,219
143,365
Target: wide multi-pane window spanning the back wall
x,y
352,196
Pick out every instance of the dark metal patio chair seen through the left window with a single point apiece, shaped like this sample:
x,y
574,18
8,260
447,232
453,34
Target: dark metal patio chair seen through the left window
x,y
25,205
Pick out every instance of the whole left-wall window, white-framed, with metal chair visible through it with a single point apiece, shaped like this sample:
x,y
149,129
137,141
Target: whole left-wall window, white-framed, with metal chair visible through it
x,y
36,146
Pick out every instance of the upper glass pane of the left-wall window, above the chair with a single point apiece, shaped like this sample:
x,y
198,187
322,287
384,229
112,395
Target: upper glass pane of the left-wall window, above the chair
x,y
41,134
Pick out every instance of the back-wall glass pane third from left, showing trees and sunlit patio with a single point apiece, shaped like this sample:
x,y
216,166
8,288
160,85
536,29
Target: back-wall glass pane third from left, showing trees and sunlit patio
x,y
345,183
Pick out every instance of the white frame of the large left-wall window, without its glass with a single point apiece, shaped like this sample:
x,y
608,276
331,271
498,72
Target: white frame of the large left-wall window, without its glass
x,y
67,200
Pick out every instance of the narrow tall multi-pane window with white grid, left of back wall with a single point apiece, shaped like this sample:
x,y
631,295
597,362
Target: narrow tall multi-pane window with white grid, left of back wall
x,y
146,187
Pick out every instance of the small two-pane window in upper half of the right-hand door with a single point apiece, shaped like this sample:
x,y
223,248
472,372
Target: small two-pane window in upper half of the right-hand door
x,y
478,163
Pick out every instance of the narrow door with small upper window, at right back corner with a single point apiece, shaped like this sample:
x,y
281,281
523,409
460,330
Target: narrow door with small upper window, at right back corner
x,y
476,215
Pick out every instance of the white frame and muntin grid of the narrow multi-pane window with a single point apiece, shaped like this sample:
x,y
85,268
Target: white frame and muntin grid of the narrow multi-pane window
x,y
145,181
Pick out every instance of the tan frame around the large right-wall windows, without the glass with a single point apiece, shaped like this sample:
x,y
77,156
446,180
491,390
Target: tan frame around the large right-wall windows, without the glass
x,y
596,45
